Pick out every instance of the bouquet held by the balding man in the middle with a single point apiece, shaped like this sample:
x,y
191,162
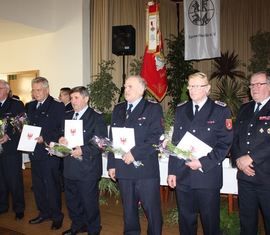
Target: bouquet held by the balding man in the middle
x,y
107,146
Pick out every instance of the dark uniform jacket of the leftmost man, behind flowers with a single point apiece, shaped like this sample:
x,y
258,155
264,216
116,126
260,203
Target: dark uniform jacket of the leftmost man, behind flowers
x,y
11,108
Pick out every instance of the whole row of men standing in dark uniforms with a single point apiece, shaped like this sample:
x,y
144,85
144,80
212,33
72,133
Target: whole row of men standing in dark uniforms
x,y
197,181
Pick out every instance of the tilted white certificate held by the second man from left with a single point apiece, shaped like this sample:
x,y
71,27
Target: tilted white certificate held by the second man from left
x,y
27,140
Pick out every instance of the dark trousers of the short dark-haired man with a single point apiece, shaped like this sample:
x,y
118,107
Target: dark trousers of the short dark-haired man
x,y
82,199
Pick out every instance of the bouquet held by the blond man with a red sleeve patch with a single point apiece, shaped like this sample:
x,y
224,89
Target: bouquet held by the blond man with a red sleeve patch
x,y
167,148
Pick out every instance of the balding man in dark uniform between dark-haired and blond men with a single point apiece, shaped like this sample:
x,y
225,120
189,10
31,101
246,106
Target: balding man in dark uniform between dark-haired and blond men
x,y
138,184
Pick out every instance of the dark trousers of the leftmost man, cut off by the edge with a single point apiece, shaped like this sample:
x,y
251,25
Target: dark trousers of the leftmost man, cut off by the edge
x,y
11,182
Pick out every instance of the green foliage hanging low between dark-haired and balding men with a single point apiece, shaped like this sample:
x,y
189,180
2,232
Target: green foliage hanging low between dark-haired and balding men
x,y
107,187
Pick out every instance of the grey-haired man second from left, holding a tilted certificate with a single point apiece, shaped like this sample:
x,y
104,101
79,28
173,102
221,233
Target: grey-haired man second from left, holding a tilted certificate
x,y
47,113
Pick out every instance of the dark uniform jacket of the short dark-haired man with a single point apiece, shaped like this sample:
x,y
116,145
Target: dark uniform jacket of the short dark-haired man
x,y
90,167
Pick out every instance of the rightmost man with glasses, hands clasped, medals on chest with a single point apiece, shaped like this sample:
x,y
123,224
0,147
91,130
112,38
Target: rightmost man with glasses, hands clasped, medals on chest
x,y
251,151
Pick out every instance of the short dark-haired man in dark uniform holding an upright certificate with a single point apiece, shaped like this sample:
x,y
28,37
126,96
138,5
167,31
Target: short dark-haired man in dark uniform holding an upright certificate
x,y
83,168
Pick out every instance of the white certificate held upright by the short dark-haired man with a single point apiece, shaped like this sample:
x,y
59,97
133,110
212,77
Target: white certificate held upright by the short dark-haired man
x,y
74,133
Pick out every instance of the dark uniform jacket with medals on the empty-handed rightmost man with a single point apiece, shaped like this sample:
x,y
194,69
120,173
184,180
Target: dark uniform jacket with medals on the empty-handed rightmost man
x,y
252,136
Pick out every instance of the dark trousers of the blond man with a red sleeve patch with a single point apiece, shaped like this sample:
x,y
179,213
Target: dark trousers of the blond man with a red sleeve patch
x,y
192,202
